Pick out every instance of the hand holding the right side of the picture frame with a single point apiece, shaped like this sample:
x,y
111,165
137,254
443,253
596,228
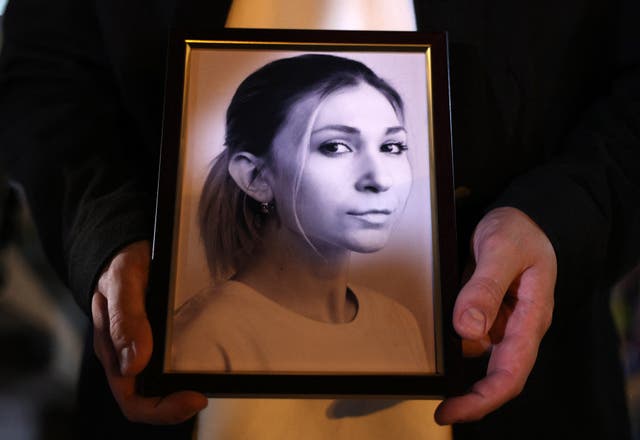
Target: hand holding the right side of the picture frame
x,y
506,306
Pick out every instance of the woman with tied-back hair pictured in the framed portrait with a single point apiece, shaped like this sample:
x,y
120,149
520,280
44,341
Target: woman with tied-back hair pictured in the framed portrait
x,y
315,168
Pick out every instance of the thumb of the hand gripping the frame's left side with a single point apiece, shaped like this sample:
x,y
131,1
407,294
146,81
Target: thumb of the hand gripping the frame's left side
x,y
123,285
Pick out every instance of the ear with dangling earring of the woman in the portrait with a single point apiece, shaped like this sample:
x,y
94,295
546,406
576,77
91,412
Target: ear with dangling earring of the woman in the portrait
x,y
248,172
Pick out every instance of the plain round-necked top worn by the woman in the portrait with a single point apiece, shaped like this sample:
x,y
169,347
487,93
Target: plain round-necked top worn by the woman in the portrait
x,y
235,328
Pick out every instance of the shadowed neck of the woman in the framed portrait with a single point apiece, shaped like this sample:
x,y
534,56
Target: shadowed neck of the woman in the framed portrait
x,y
290,272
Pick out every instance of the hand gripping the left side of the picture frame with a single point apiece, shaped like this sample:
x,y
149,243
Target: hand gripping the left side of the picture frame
x,y
123,343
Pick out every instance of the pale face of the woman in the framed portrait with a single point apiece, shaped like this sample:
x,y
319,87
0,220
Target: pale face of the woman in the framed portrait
x,y
356,177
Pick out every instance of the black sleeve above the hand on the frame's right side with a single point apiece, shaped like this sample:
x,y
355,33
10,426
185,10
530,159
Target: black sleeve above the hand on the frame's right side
x,y
587,199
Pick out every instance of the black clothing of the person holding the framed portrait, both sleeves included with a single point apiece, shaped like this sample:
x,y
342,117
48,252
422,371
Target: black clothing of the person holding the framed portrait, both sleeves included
x,y
546,118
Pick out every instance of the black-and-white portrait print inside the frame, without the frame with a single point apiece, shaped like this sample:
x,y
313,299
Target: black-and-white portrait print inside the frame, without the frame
x,y
304,226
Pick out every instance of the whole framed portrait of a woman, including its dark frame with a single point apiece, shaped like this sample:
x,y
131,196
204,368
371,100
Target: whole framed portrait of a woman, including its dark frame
x,y
304,239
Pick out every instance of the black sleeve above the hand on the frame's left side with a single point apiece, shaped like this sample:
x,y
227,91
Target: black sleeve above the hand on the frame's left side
x,y
68,142
